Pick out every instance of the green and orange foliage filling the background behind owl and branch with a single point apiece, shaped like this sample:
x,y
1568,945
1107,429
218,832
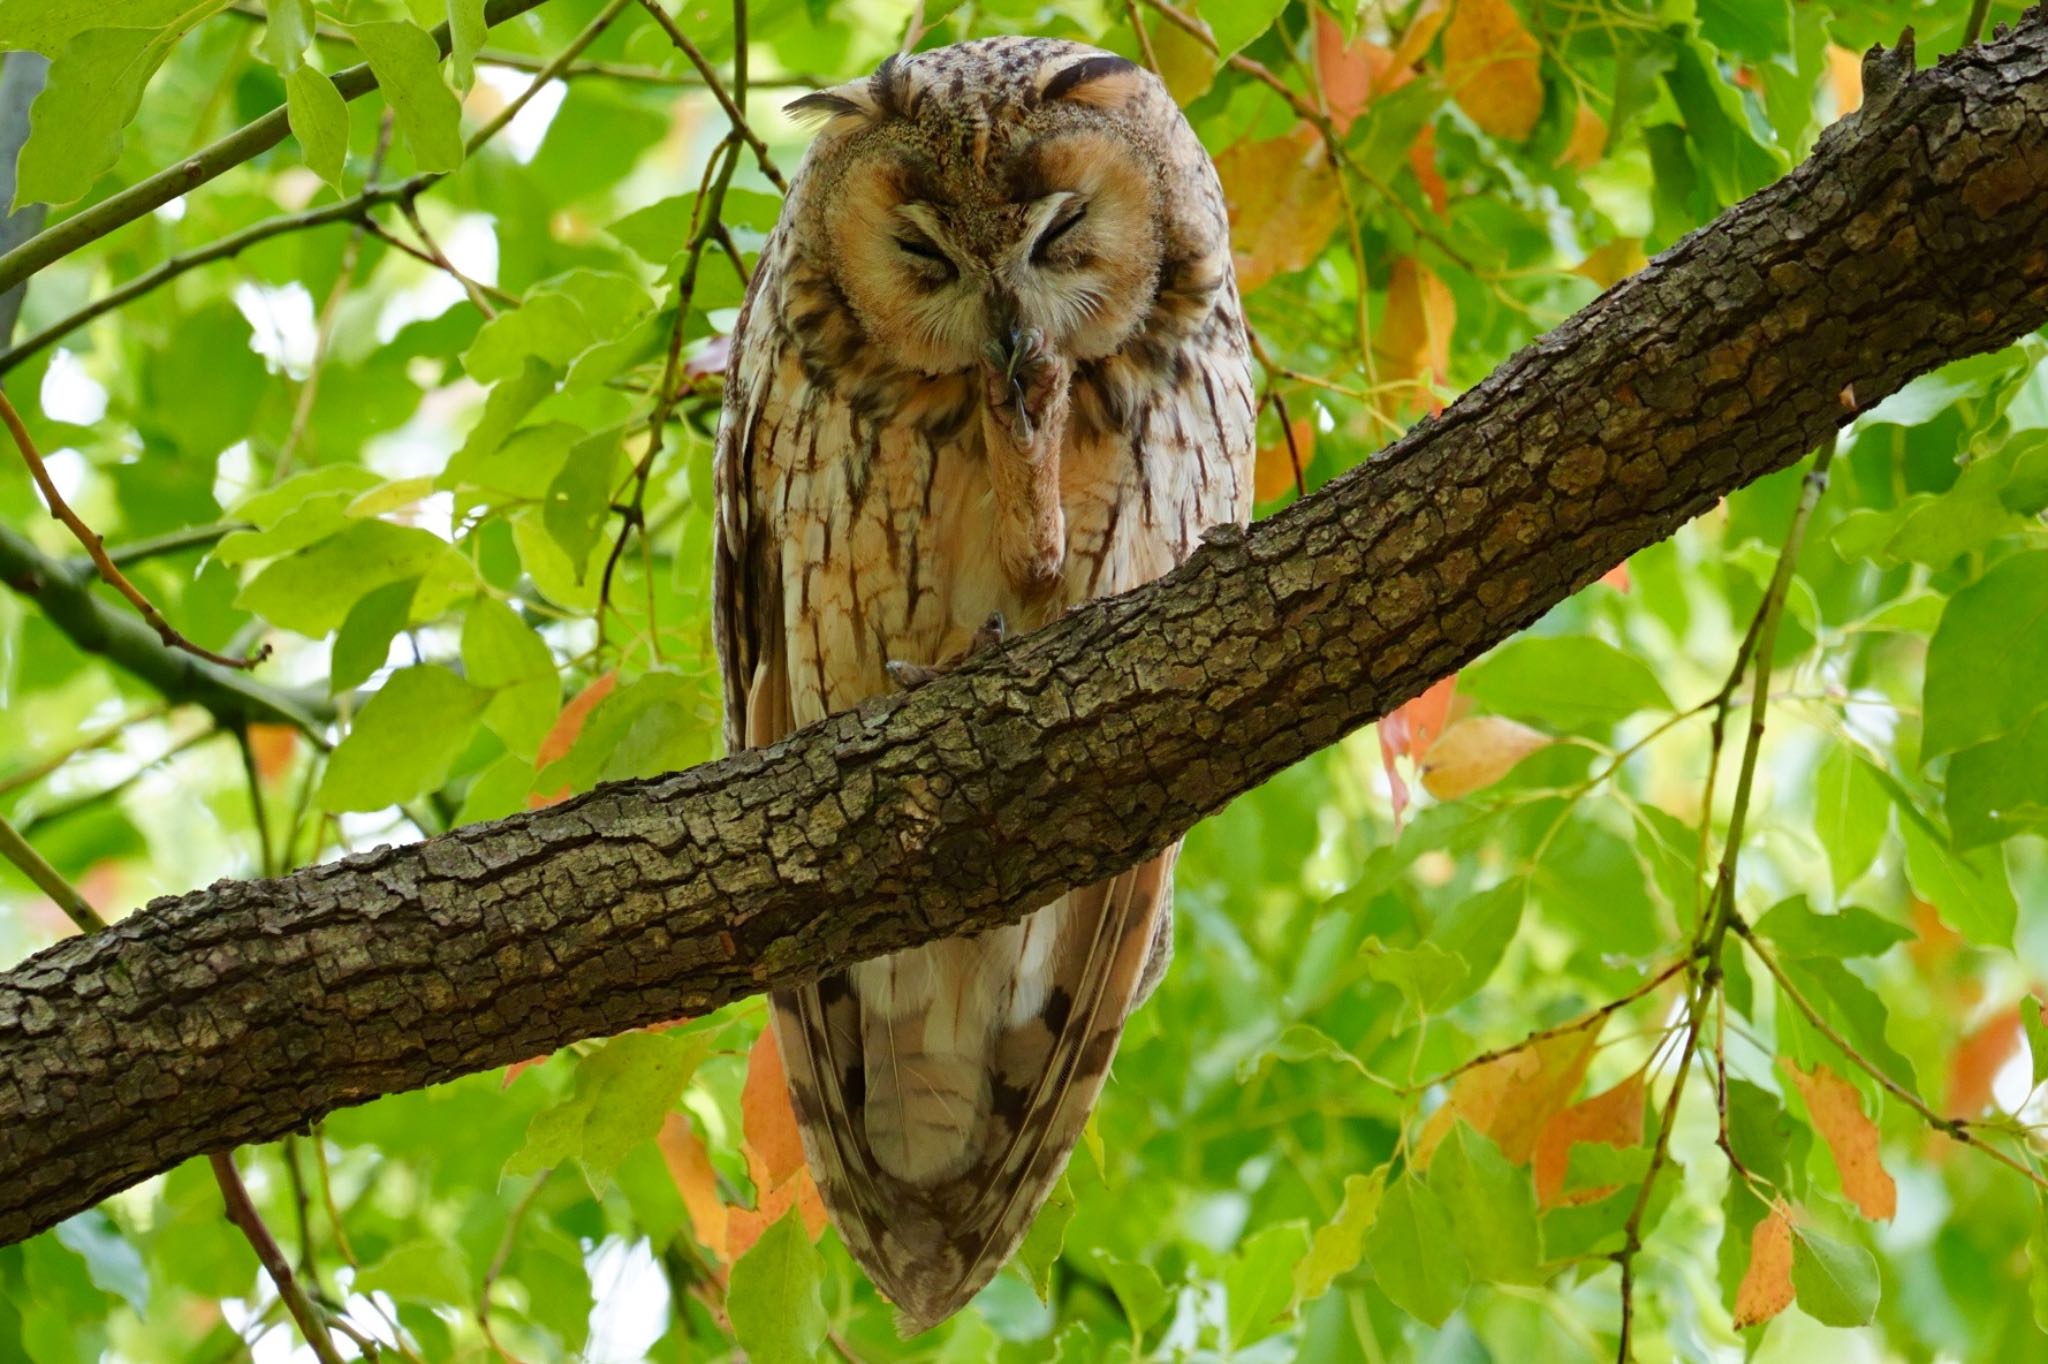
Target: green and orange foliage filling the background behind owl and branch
x,y
445,450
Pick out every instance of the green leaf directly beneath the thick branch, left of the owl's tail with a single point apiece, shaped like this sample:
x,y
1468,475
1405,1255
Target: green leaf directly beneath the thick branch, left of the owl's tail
x,y
624,1091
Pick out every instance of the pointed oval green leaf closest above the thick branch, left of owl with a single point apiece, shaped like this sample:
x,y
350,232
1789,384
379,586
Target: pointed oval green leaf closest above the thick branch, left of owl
x,y
404,742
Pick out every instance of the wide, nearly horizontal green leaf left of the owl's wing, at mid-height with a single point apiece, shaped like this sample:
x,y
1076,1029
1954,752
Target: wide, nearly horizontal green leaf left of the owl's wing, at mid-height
x,y
314,589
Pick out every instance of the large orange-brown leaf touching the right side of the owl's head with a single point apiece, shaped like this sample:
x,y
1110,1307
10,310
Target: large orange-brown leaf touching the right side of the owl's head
x,y
1285,204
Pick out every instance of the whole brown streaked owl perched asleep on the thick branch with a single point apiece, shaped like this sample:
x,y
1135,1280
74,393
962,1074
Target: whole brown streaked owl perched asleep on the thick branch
x,y
992,366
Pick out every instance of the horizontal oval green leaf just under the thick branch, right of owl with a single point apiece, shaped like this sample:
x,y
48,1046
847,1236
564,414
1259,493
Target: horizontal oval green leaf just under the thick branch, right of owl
x,y
1566,681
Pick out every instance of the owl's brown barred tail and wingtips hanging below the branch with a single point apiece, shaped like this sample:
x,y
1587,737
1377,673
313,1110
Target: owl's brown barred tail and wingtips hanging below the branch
x,y
937,1193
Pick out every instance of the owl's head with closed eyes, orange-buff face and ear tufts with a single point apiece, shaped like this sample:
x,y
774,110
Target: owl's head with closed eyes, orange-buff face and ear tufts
x,y
970,196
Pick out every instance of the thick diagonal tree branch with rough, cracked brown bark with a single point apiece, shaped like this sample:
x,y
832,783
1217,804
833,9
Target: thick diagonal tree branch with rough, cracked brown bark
x,y
1916,235
